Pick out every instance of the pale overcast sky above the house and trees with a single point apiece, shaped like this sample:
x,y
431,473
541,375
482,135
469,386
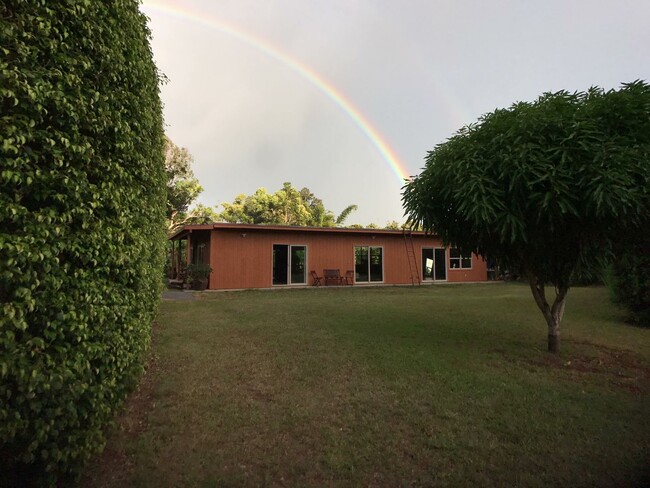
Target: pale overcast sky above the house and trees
x,y
267,91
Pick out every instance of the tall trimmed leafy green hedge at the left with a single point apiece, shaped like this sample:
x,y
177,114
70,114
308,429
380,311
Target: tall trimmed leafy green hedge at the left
x,y
82,202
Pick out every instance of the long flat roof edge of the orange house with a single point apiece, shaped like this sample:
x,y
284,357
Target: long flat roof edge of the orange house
x,y
187,229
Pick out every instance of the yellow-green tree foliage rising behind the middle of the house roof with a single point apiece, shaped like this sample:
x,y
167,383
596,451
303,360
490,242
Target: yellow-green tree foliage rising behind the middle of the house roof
x,y
287,206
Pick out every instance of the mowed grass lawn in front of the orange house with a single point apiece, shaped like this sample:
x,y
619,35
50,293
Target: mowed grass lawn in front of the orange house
x,y
432,386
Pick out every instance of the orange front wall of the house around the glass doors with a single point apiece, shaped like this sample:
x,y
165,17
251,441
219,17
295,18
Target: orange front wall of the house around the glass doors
x,y
243,258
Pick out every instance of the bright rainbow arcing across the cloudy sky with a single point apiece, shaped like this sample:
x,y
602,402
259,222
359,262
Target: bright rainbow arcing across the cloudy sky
x,y
177,9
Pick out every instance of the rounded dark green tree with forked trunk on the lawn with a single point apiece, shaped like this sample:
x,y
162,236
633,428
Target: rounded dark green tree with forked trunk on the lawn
x,y
542,186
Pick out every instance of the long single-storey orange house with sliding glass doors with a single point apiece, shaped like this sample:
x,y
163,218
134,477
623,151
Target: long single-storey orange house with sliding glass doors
x,y
266,256
